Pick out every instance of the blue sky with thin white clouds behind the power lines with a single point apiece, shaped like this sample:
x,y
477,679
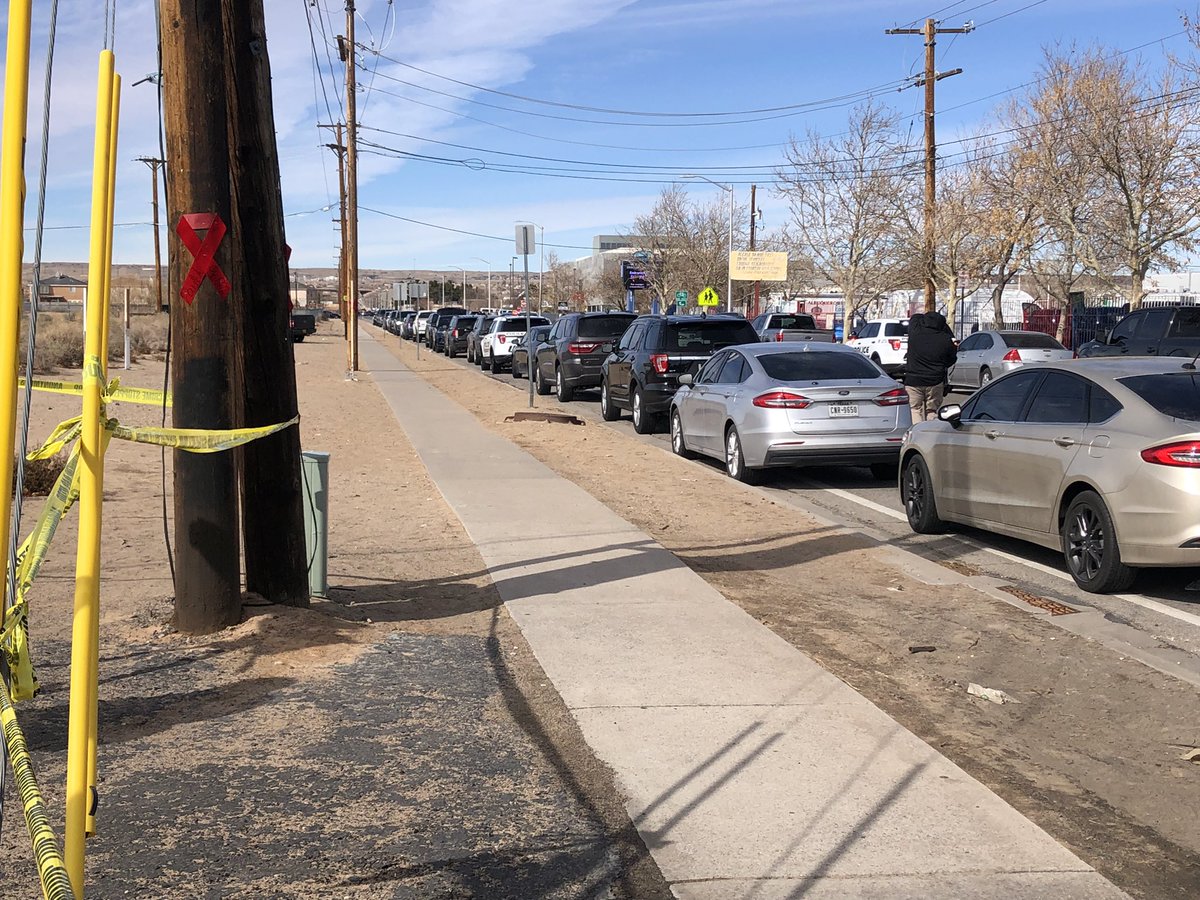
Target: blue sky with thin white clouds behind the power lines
x,y
637,56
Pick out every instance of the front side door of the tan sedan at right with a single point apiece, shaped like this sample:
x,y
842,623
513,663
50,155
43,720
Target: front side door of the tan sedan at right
x,y
964,460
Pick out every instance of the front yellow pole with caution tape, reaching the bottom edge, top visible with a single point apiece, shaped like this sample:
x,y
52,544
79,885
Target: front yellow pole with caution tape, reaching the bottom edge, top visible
x,y
92,483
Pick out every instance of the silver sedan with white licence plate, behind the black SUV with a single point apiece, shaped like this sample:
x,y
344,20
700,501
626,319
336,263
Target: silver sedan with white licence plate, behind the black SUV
x,y
758,406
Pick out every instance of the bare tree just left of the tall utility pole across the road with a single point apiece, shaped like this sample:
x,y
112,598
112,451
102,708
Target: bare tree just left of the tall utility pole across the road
x,y
844,194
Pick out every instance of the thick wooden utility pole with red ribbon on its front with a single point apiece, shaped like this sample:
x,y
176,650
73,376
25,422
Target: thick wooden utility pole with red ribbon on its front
x,y
203,333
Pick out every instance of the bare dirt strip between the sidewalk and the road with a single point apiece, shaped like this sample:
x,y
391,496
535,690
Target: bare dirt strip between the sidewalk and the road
x,y
1091,749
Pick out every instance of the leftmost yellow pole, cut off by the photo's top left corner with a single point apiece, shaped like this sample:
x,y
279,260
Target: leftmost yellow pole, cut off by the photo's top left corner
x,y
13,221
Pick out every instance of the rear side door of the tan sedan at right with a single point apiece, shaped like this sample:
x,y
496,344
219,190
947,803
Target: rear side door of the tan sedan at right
x,y
1040,449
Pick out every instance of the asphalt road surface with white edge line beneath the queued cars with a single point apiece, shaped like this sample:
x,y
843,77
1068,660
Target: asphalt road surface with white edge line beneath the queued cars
x,y
1166,607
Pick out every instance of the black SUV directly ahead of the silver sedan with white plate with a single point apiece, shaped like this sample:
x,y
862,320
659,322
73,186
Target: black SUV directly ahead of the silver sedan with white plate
x,y
643,374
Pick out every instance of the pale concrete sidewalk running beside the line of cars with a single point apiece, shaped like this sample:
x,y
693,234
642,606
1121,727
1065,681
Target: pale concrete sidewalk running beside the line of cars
x,y
749,771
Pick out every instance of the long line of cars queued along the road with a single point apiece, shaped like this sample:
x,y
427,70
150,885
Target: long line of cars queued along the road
x,y
1096,458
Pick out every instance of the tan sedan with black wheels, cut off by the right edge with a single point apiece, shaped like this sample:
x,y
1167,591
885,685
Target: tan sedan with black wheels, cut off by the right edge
x,y
1099,459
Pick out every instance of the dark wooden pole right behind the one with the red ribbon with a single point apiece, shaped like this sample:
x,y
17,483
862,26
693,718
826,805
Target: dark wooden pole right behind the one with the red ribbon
x,y
272,489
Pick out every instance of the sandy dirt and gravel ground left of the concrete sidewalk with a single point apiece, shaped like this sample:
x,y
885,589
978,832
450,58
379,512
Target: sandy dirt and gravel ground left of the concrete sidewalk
x,y
397,740
